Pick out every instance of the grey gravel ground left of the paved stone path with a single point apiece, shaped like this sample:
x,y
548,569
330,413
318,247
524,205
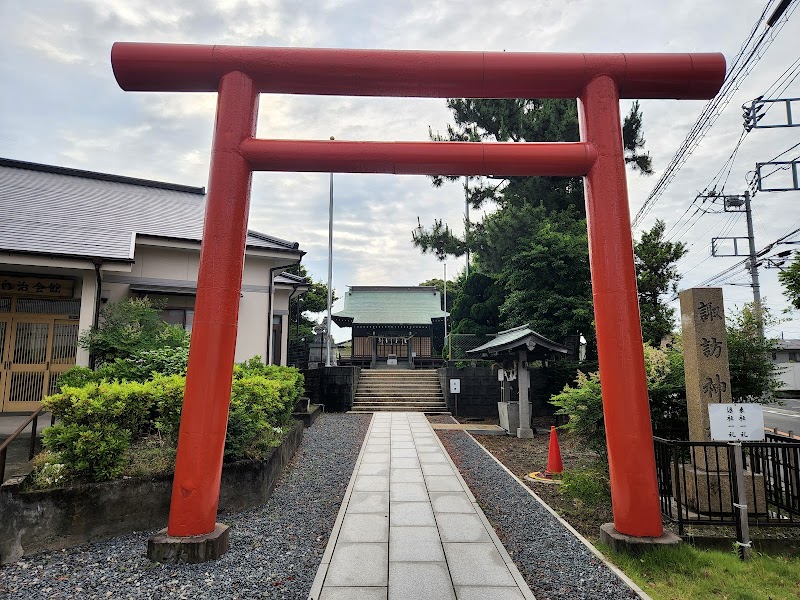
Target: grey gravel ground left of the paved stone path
x,y
274,549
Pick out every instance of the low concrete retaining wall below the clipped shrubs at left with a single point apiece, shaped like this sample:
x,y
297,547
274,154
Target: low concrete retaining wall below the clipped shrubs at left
x,y
55,519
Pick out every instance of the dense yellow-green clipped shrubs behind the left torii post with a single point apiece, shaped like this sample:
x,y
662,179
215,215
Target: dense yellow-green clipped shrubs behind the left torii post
x,y
108,427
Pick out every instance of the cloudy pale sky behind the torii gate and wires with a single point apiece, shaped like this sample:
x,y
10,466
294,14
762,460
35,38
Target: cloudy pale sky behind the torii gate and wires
x,y
61,105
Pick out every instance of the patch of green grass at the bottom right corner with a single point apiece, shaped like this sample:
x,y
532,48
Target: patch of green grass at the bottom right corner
x,y
685,572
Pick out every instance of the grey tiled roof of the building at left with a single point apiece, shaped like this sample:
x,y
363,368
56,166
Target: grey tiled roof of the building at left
x,y
68,212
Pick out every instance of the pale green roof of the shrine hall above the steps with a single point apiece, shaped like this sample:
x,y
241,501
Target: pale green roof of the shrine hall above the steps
x,y
390,305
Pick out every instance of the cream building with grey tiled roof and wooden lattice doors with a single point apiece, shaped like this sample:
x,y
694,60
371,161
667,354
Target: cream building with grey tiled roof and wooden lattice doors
x,y
72,240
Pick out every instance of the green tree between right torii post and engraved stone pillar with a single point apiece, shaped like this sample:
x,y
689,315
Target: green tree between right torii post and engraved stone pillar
x,y
657,277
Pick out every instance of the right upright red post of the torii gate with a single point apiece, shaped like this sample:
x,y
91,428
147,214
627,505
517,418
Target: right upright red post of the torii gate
x,y
631,458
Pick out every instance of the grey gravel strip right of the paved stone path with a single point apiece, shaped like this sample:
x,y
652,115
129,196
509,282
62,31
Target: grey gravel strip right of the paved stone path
x,y
554,563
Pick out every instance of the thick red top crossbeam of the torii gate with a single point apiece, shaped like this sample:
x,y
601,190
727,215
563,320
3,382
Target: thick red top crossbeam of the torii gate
x,y
149,67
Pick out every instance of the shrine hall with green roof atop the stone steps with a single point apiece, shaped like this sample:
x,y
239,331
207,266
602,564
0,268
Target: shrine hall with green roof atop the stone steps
x,y
402,324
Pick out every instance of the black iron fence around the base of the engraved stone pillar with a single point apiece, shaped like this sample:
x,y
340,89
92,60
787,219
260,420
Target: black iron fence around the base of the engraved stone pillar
x,y
696,482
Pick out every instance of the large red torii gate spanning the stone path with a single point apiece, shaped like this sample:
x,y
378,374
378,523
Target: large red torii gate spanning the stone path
x,y
240,74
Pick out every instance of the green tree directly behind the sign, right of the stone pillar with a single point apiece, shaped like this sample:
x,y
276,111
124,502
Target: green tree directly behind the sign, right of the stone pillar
x,y
754,377
